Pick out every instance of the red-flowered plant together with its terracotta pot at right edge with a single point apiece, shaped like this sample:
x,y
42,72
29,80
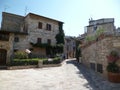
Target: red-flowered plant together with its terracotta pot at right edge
x,y
112,67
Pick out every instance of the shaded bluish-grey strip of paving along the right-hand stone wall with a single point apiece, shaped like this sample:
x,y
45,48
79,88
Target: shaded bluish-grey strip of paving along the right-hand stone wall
x,y
94,80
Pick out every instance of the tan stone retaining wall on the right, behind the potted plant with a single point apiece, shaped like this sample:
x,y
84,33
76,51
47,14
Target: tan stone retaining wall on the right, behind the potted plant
x,y
96,52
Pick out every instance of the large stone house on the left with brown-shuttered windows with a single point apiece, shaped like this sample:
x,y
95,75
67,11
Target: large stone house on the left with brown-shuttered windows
x,y
32,32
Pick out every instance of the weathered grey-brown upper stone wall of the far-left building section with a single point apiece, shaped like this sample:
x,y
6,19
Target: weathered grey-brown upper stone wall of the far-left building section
x,y
11,22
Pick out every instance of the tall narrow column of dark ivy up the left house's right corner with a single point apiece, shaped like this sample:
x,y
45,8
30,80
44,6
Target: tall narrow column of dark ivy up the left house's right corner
x,y
60,36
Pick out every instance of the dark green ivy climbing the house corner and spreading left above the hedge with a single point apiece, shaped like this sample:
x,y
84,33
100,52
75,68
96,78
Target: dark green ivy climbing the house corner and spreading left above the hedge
x,y
58,48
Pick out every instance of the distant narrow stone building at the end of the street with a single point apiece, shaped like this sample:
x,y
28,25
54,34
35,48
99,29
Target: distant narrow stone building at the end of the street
x,y
70,47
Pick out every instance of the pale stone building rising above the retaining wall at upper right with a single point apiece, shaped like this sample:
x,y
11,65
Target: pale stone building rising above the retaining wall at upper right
x,y
106,24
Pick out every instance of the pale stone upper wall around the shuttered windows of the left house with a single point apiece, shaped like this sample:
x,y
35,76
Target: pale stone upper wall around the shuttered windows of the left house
x,y
35,32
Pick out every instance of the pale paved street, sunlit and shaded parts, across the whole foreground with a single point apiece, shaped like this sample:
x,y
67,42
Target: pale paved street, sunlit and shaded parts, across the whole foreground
x,y
69,76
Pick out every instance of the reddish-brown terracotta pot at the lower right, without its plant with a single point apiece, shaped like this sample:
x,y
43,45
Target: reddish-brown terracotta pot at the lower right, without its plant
x,y
114,77
